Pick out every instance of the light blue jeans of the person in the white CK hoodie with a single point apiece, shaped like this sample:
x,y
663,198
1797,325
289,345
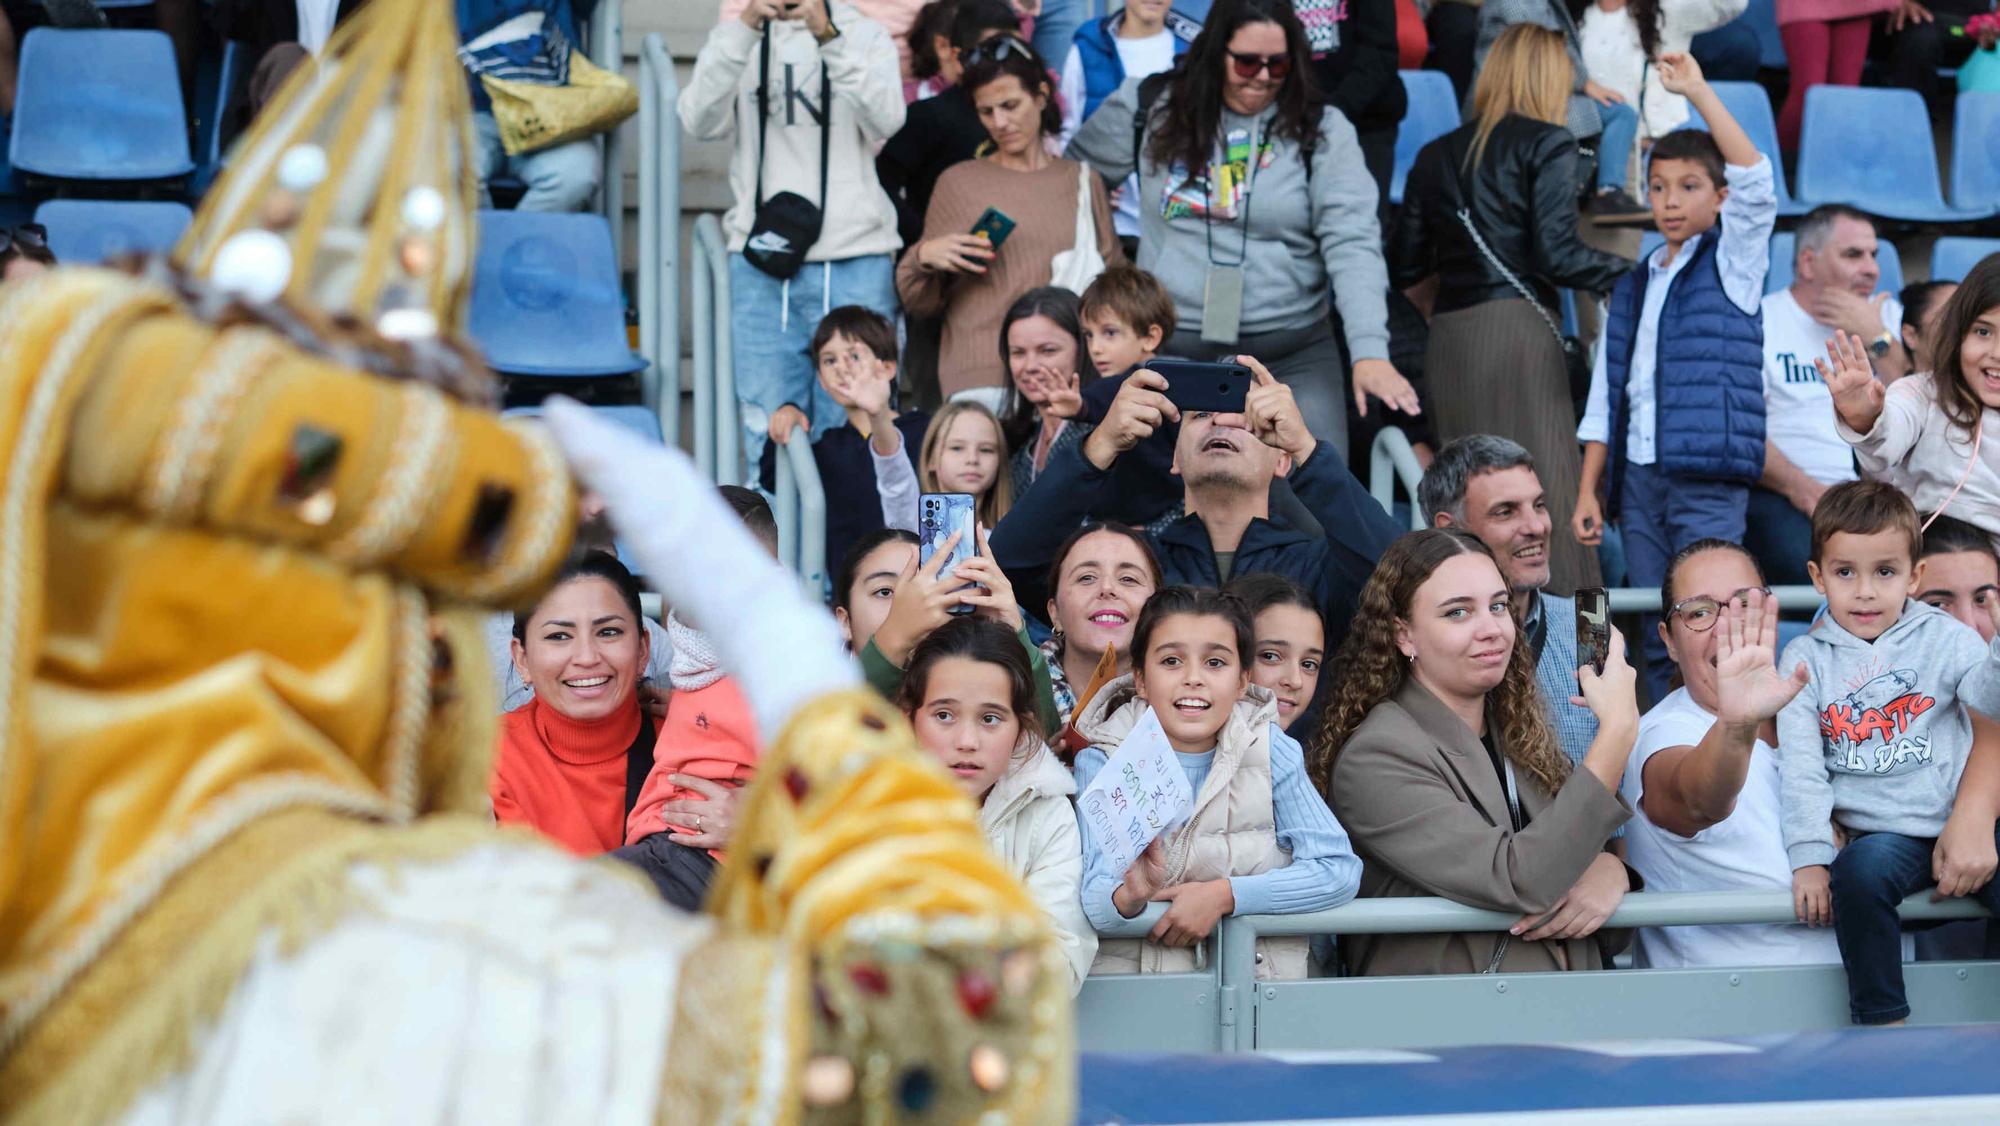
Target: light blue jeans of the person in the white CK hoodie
x,y
771,327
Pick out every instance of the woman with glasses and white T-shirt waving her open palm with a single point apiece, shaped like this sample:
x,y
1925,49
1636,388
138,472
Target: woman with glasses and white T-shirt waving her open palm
x,y
1703,781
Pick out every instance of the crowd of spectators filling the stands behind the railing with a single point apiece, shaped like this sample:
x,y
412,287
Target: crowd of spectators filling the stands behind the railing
x,y
1015,213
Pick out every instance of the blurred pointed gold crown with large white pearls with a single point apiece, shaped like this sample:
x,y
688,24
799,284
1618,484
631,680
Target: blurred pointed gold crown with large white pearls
x,y
353,195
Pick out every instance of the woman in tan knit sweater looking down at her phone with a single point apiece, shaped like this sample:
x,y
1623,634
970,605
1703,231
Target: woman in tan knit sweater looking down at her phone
x,y
963,277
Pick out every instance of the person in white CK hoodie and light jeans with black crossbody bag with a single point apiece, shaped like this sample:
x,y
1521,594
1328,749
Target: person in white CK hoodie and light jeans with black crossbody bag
x,y
805,91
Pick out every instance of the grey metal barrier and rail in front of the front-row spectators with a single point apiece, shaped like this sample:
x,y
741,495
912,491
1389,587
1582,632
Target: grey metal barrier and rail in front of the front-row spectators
x,y
1233,1011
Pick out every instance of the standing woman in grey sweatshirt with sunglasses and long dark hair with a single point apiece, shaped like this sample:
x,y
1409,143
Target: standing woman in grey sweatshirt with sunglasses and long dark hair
x,y
1255,199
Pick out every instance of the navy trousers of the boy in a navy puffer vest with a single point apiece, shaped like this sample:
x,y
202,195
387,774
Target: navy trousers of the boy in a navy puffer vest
x,y
1657,517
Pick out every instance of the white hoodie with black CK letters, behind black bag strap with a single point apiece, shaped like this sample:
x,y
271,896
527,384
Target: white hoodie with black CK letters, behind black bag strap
x,y
867,91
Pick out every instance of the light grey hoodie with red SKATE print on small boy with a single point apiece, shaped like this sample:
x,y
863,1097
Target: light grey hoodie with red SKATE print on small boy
x,y
1881,733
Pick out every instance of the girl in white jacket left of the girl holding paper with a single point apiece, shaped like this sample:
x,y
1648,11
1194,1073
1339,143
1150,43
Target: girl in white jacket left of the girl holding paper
x,y
971,697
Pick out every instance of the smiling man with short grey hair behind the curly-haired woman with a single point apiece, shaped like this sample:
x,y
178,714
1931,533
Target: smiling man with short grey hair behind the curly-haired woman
x,y
1487,485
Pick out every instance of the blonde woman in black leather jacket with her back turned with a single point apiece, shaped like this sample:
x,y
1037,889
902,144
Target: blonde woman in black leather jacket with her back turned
x,y
1495,359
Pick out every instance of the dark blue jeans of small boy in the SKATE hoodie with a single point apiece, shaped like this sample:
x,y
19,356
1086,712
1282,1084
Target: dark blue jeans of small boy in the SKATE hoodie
x,y
1869,879
